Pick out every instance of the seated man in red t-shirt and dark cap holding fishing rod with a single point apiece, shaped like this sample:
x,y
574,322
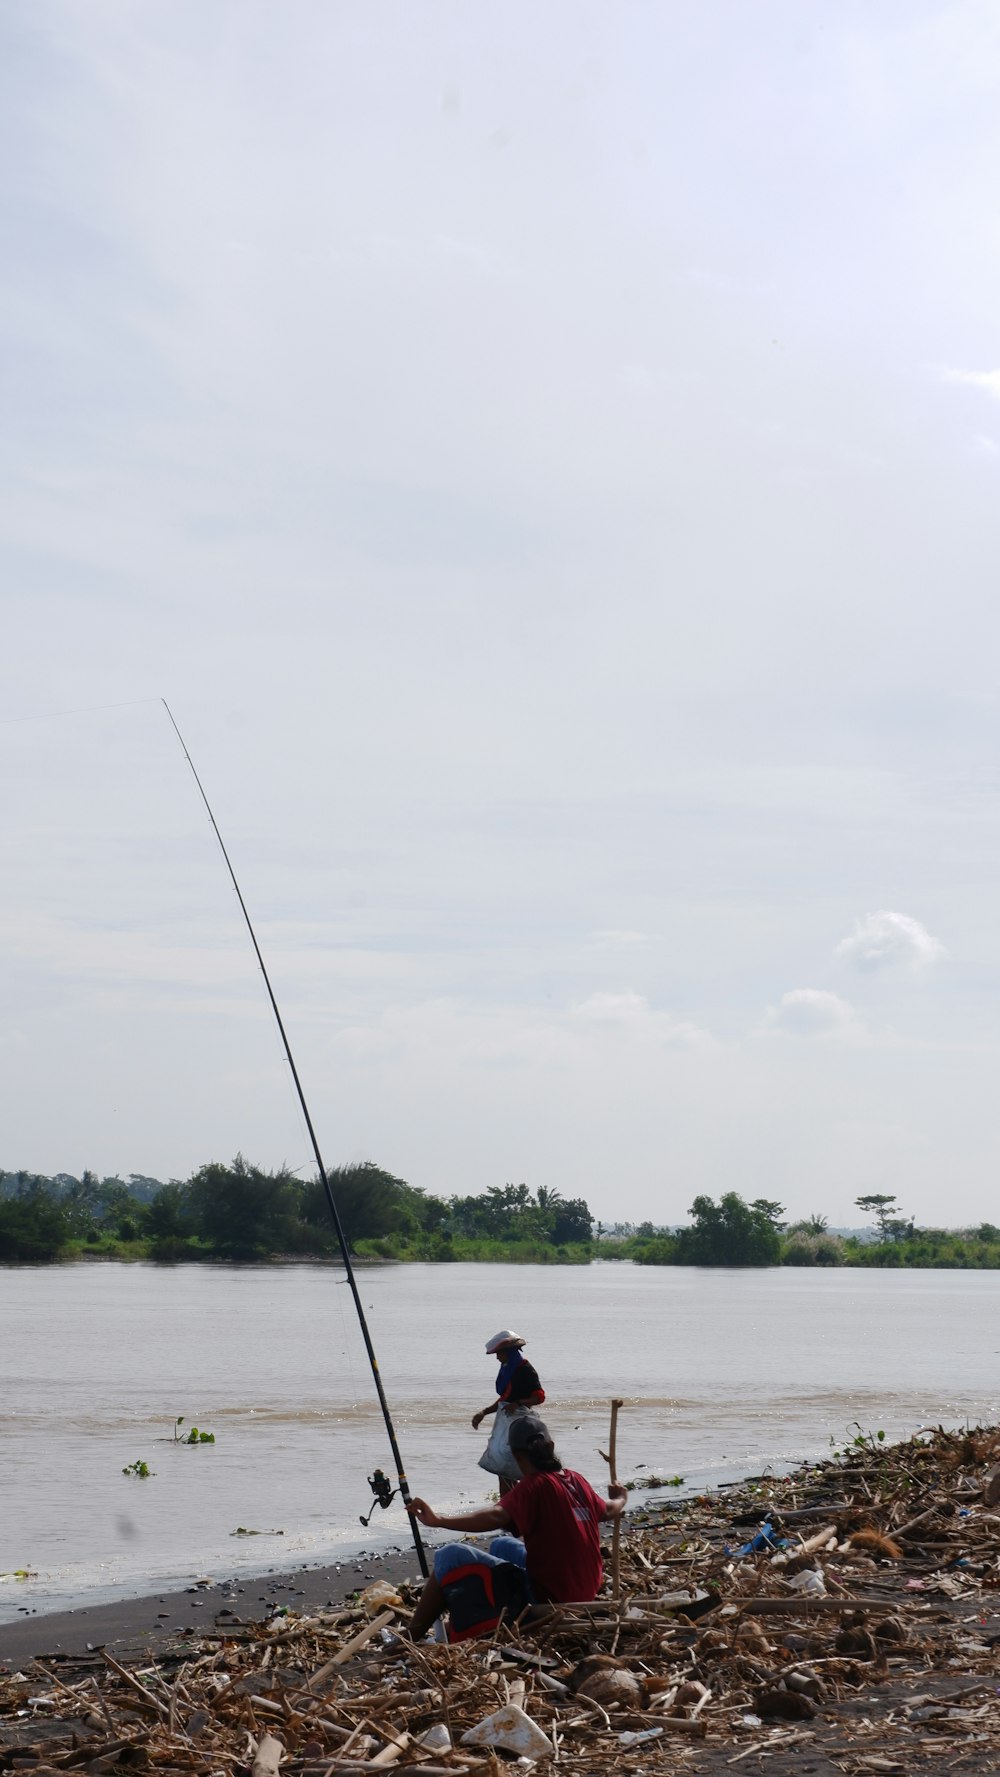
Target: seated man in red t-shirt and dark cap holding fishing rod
x,y
555,1513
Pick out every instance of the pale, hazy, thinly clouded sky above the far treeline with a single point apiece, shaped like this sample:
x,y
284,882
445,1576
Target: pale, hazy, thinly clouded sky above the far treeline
x,y
550,463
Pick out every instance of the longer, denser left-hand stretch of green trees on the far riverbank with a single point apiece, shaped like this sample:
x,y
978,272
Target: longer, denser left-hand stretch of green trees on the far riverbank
x,y
246,1213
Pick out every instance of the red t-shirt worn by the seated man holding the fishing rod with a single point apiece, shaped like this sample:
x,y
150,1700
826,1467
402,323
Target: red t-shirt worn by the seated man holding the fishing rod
x,y
559,1518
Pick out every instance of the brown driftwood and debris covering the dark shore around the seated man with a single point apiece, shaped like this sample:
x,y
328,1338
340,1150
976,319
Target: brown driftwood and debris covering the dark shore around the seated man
x,y
861,1636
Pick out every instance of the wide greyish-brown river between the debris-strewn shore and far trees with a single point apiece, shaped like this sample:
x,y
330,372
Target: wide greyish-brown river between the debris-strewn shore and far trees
x,y
724,1373
